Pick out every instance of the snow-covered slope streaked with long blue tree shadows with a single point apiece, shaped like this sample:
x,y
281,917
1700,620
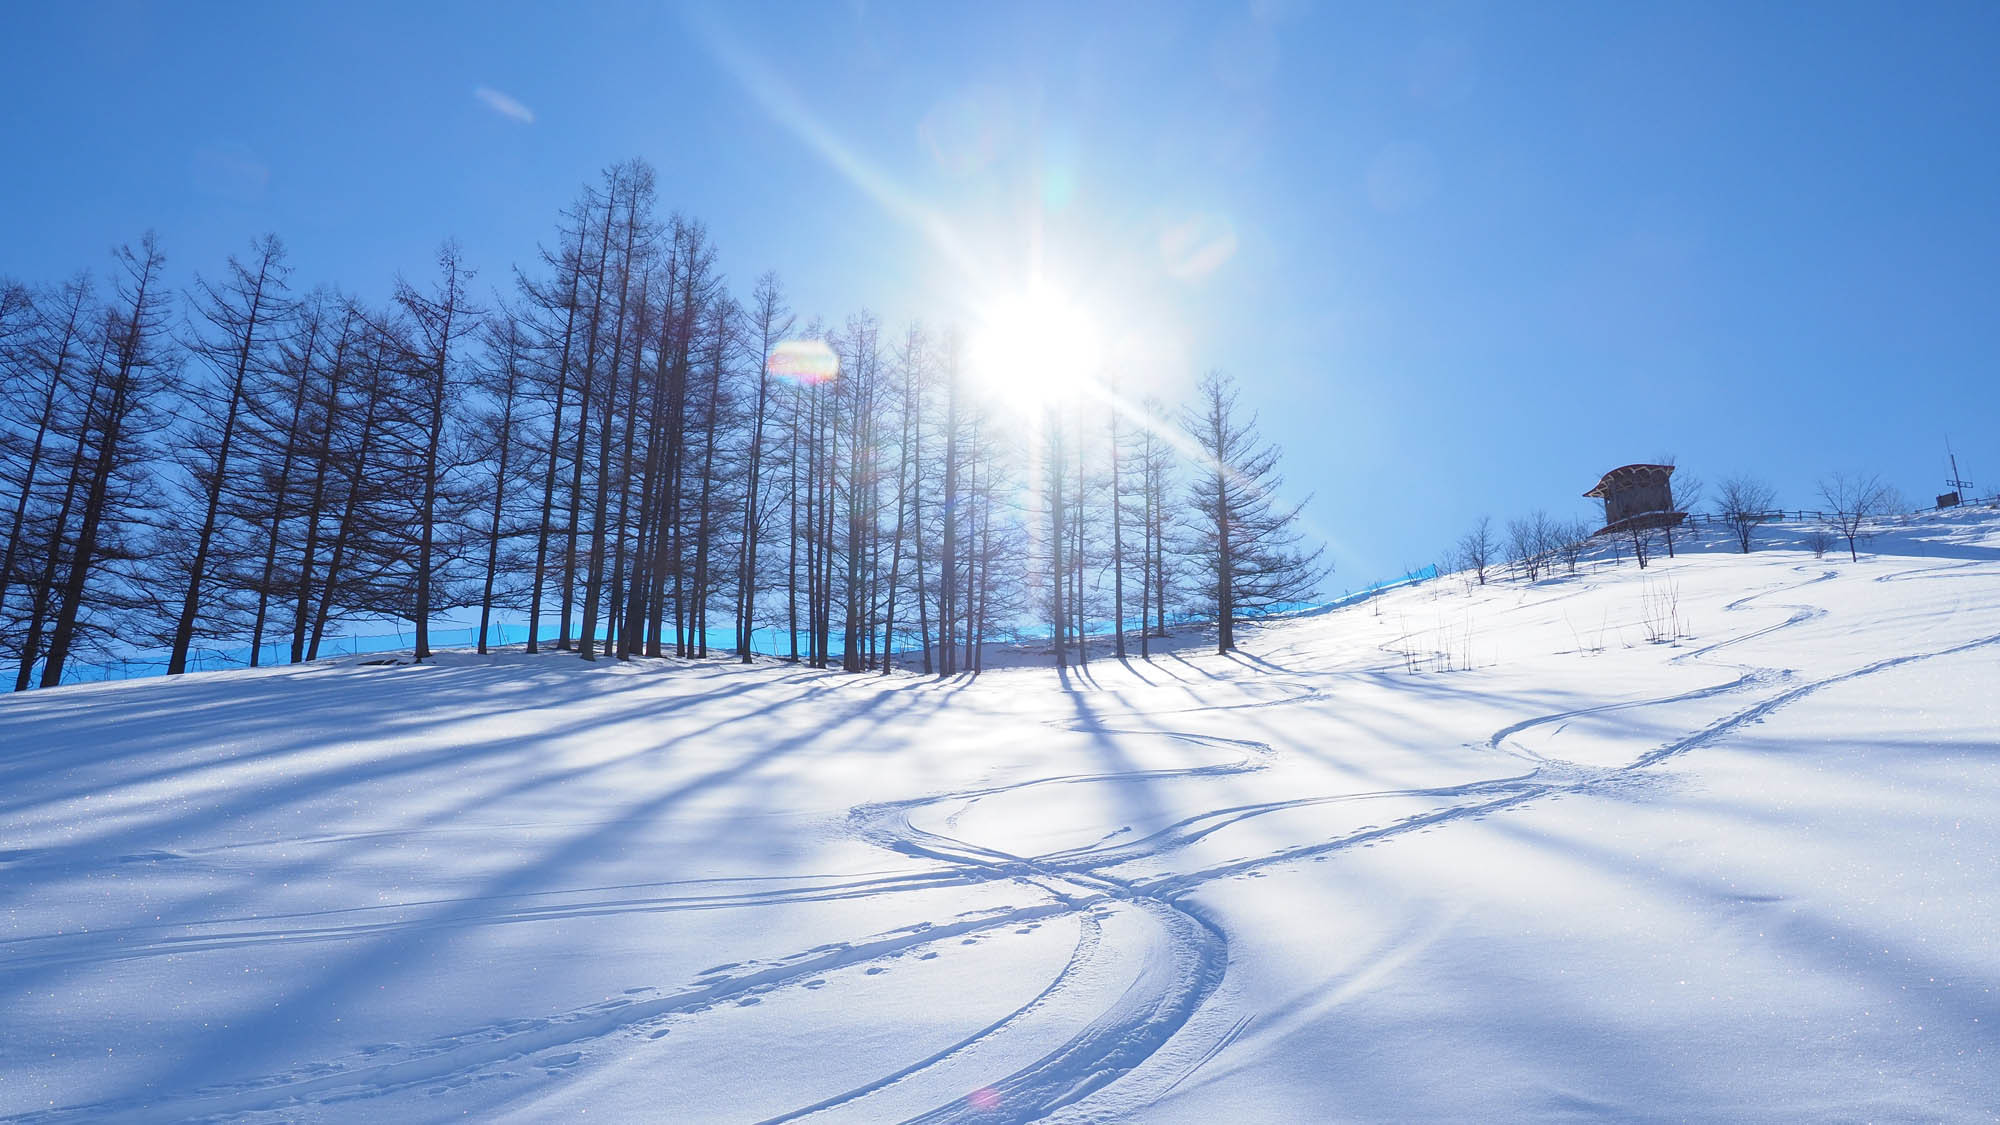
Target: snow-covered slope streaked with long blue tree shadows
x,y
1719,840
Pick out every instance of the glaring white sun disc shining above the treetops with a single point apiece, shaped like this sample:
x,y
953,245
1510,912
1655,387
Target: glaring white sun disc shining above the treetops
x,y
1033,349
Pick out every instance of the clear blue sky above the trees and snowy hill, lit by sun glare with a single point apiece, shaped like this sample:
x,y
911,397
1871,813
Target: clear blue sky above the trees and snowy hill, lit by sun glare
x,y
1465,257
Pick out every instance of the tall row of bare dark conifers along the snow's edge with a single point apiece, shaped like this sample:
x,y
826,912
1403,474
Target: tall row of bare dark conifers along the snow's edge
x,y
615,443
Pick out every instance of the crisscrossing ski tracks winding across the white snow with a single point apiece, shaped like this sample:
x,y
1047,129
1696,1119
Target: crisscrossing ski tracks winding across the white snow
x,y
1095,1070
